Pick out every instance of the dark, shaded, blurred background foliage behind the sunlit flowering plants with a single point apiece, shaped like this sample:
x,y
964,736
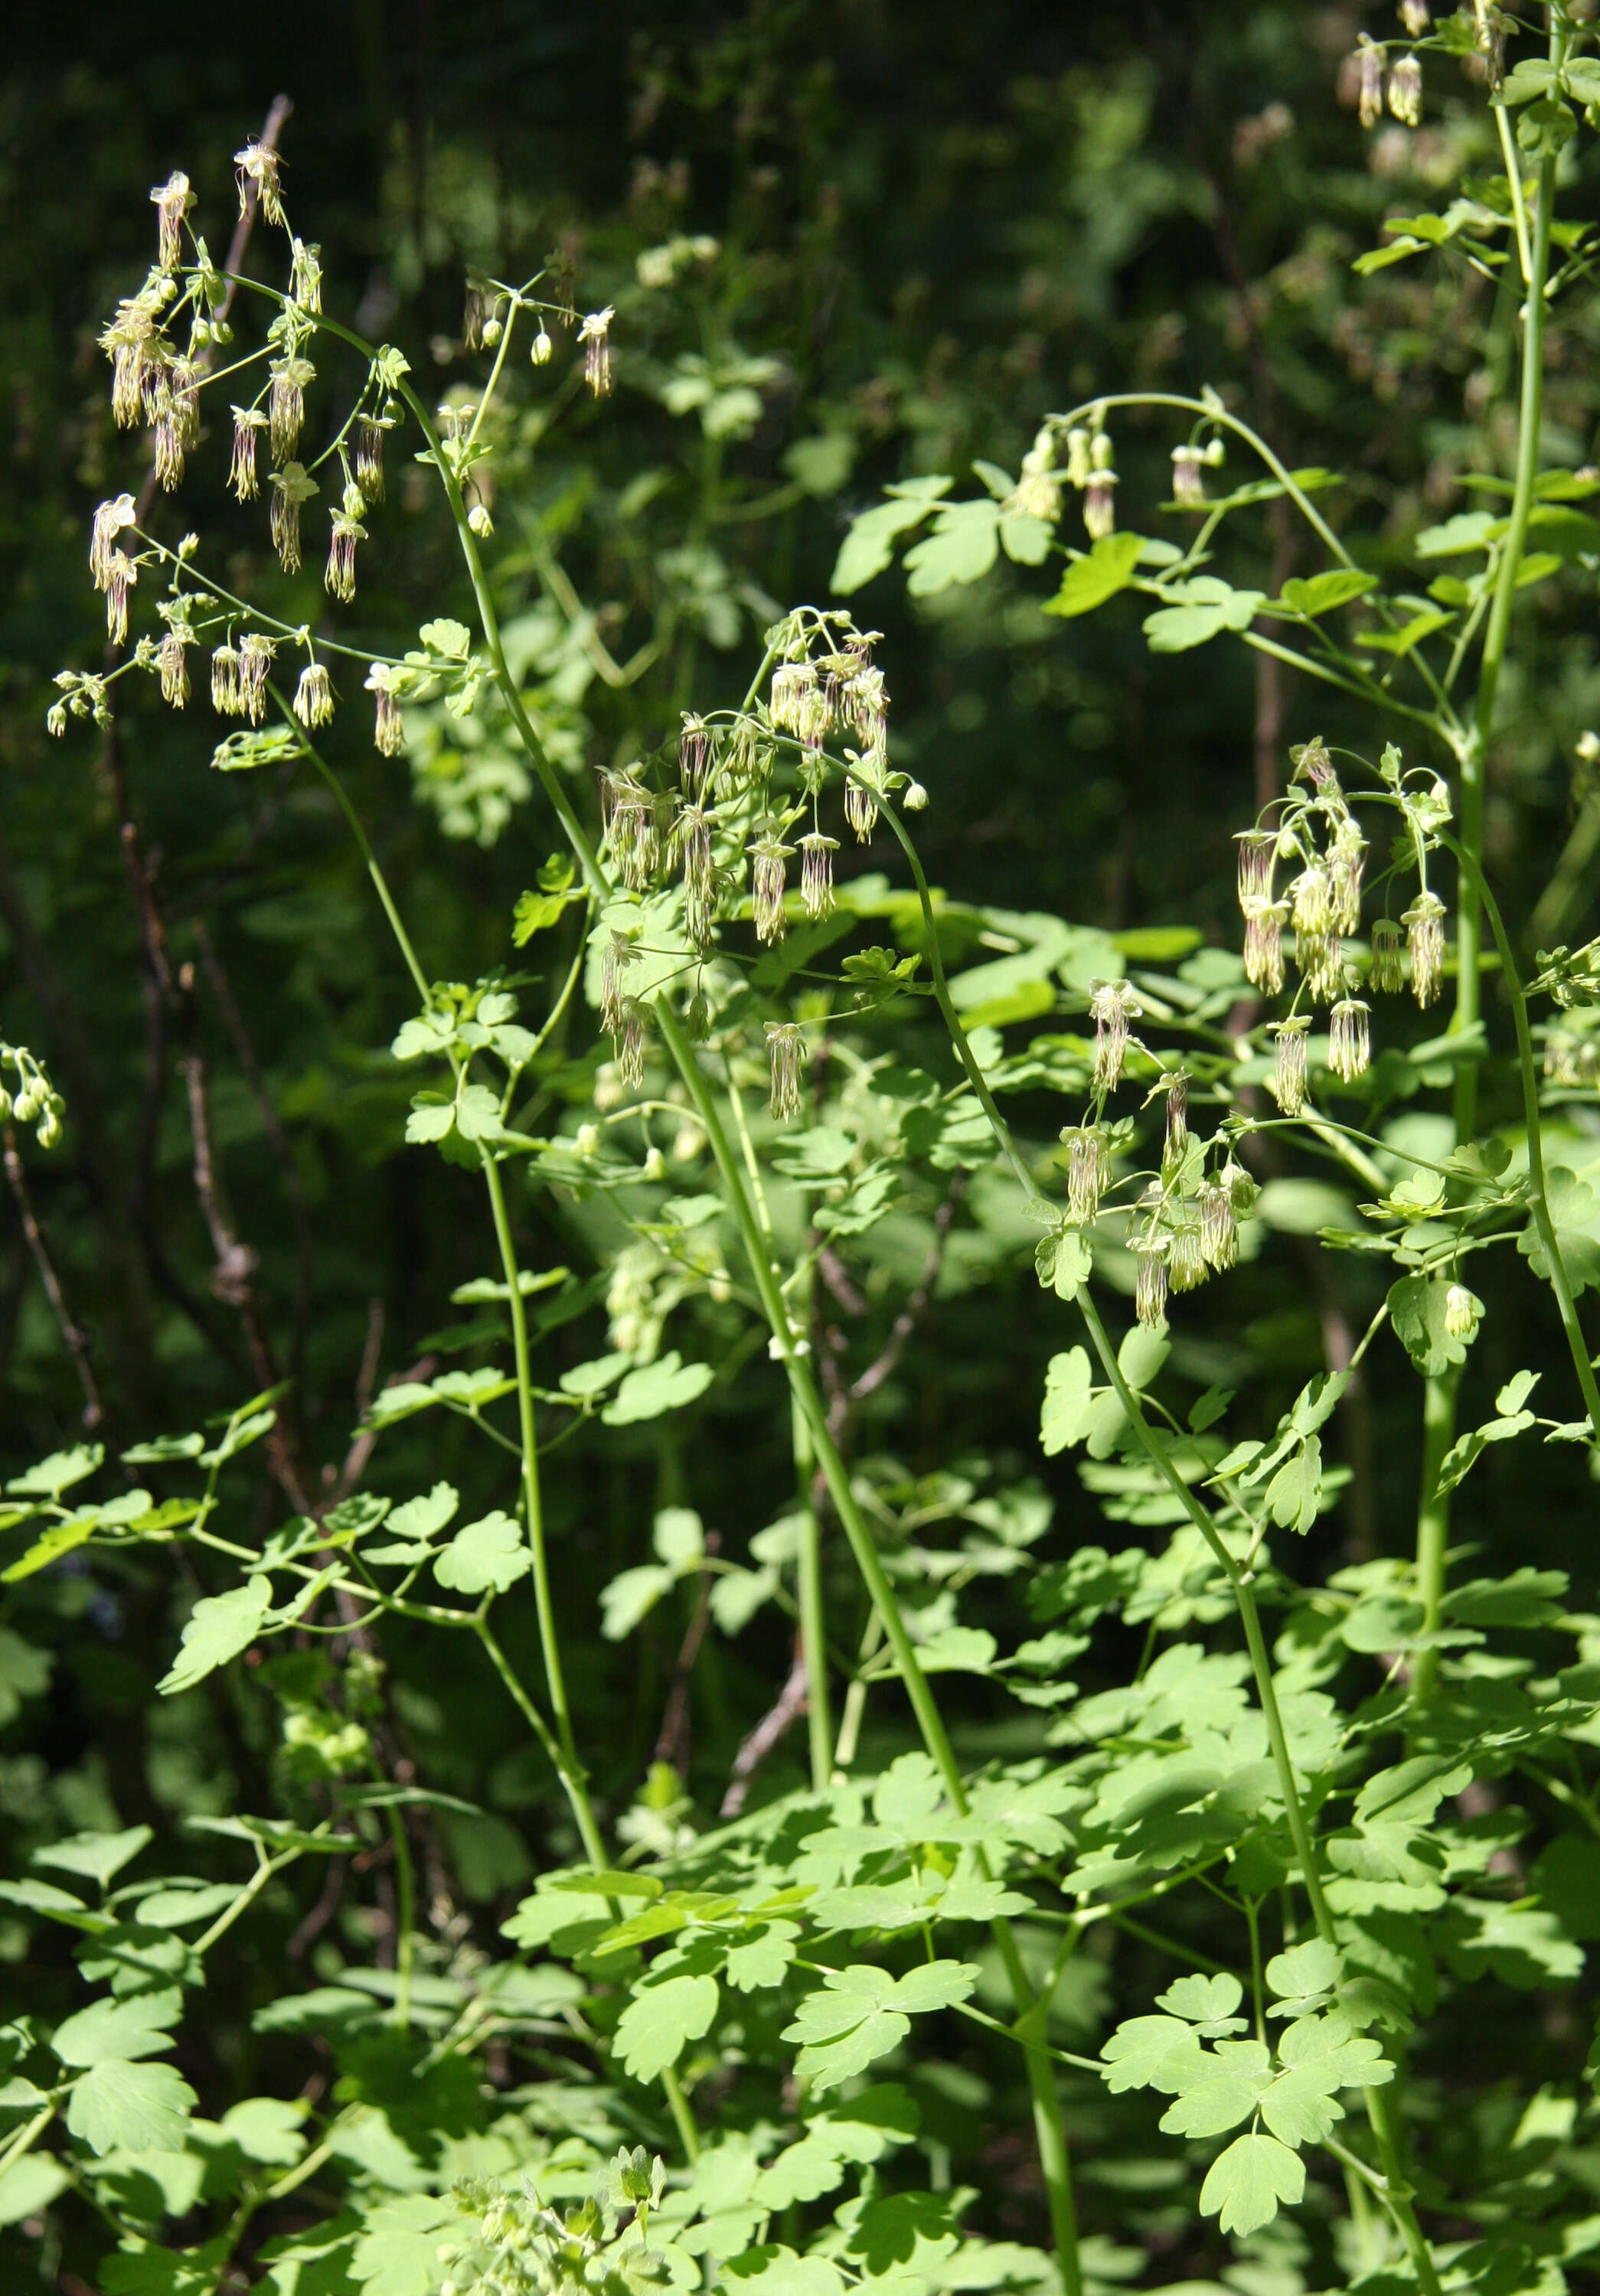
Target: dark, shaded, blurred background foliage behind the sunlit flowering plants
x,y
903,238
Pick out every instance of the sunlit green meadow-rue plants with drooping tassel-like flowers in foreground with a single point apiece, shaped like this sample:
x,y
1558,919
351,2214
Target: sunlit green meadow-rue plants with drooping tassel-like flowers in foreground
x,y
738,2049
